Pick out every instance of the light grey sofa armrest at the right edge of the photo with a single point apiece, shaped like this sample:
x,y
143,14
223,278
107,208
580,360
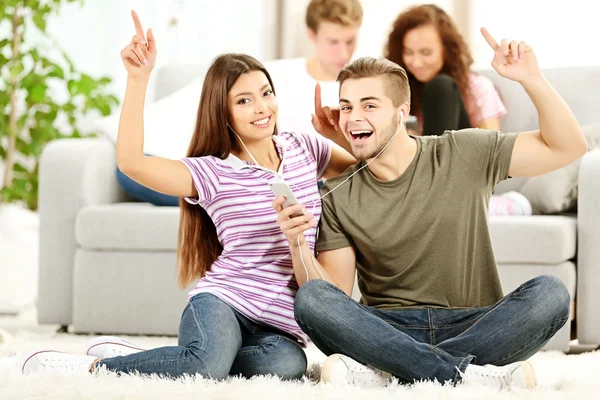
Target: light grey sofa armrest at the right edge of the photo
x,y
588,252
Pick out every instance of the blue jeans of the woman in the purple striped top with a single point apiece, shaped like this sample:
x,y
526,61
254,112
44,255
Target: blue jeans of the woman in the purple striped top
x,y
216,341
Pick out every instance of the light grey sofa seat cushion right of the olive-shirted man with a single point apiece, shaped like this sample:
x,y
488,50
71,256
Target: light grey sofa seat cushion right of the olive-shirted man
x,y
548,239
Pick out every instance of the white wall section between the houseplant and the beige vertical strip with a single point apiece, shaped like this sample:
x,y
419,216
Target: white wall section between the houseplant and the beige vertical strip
x,y
95,34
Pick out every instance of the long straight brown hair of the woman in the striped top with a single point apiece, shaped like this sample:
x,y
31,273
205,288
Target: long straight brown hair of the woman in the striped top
x,y
198,245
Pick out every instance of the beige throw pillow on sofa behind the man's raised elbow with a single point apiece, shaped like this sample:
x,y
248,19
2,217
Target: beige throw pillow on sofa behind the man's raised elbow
x,y
556,191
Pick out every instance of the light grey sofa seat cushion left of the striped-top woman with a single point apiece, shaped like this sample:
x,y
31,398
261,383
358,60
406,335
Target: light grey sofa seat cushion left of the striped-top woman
x,y
127,226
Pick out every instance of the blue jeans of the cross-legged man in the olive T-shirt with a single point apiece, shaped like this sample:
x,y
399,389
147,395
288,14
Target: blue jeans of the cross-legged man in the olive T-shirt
x,y
433,343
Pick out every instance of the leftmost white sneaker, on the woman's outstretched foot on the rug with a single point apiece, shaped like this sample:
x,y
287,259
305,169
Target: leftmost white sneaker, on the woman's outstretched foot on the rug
x,y
50,361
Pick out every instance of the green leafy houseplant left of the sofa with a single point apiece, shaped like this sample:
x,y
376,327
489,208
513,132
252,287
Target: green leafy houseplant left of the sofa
x,y
42,95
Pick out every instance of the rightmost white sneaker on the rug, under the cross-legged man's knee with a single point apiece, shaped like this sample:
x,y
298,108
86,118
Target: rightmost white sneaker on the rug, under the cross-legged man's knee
x,y
517,375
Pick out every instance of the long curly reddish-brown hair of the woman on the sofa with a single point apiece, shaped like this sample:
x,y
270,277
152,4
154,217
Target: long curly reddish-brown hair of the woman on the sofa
x,y
457,57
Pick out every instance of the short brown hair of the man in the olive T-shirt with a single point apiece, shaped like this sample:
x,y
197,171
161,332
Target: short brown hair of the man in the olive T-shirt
x,y
396,78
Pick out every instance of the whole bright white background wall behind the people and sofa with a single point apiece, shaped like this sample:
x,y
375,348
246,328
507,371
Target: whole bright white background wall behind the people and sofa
x,y
562,34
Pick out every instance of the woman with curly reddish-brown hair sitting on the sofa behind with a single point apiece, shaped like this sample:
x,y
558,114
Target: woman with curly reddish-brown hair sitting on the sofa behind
x,y
445,94
